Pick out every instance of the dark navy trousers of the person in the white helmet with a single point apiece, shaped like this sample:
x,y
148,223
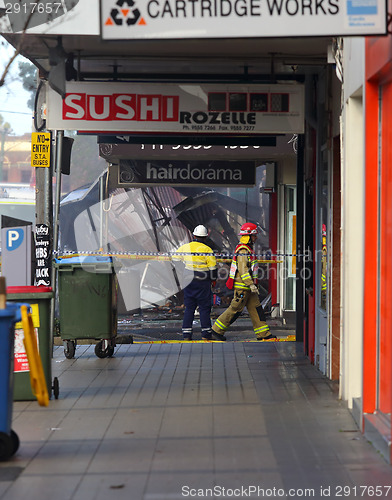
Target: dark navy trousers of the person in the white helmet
x,y
197,293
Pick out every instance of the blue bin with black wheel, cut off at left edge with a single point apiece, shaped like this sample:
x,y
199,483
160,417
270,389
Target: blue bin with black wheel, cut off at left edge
x,y
9,441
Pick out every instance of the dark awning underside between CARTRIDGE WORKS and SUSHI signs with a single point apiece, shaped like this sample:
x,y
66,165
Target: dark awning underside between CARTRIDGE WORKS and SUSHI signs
x,y
245,59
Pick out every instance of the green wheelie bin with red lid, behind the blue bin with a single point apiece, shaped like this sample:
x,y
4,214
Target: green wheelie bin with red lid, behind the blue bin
x,y
39,298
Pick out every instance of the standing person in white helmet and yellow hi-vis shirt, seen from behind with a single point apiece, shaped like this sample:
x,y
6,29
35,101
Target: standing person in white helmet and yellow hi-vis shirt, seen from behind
x,y
199,274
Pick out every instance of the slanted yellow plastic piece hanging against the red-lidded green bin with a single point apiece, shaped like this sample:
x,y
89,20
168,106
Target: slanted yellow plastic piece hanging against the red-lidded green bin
x,y
37,377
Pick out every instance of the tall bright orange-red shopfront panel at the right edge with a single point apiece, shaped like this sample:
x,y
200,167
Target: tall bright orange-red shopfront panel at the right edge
x,y
377,372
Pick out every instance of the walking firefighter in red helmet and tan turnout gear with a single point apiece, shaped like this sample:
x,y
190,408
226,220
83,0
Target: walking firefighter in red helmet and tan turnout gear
x,y
243,278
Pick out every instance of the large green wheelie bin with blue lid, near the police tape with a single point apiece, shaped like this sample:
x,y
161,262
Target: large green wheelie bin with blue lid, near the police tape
x,y
87,294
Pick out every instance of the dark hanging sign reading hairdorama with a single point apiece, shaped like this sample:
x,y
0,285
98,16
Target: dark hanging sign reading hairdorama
x,y
182,173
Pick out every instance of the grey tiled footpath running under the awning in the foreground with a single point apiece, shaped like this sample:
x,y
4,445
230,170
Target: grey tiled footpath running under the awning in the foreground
x,y
191,420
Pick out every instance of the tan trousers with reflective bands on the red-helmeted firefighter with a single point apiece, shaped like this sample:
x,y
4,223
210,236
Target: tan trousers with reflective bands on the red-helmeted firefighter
x,y
241,299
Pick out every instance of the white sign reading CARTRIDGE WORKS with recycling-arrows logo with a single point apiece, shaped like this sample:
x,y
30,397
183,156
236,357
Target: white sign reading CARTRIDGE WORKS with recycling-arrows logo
x,y
163,19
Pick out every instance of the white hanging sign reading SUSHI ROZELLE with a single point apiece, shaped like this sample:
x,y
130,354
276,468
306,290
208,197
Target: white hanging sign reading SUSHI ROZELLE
x,y
225,109
